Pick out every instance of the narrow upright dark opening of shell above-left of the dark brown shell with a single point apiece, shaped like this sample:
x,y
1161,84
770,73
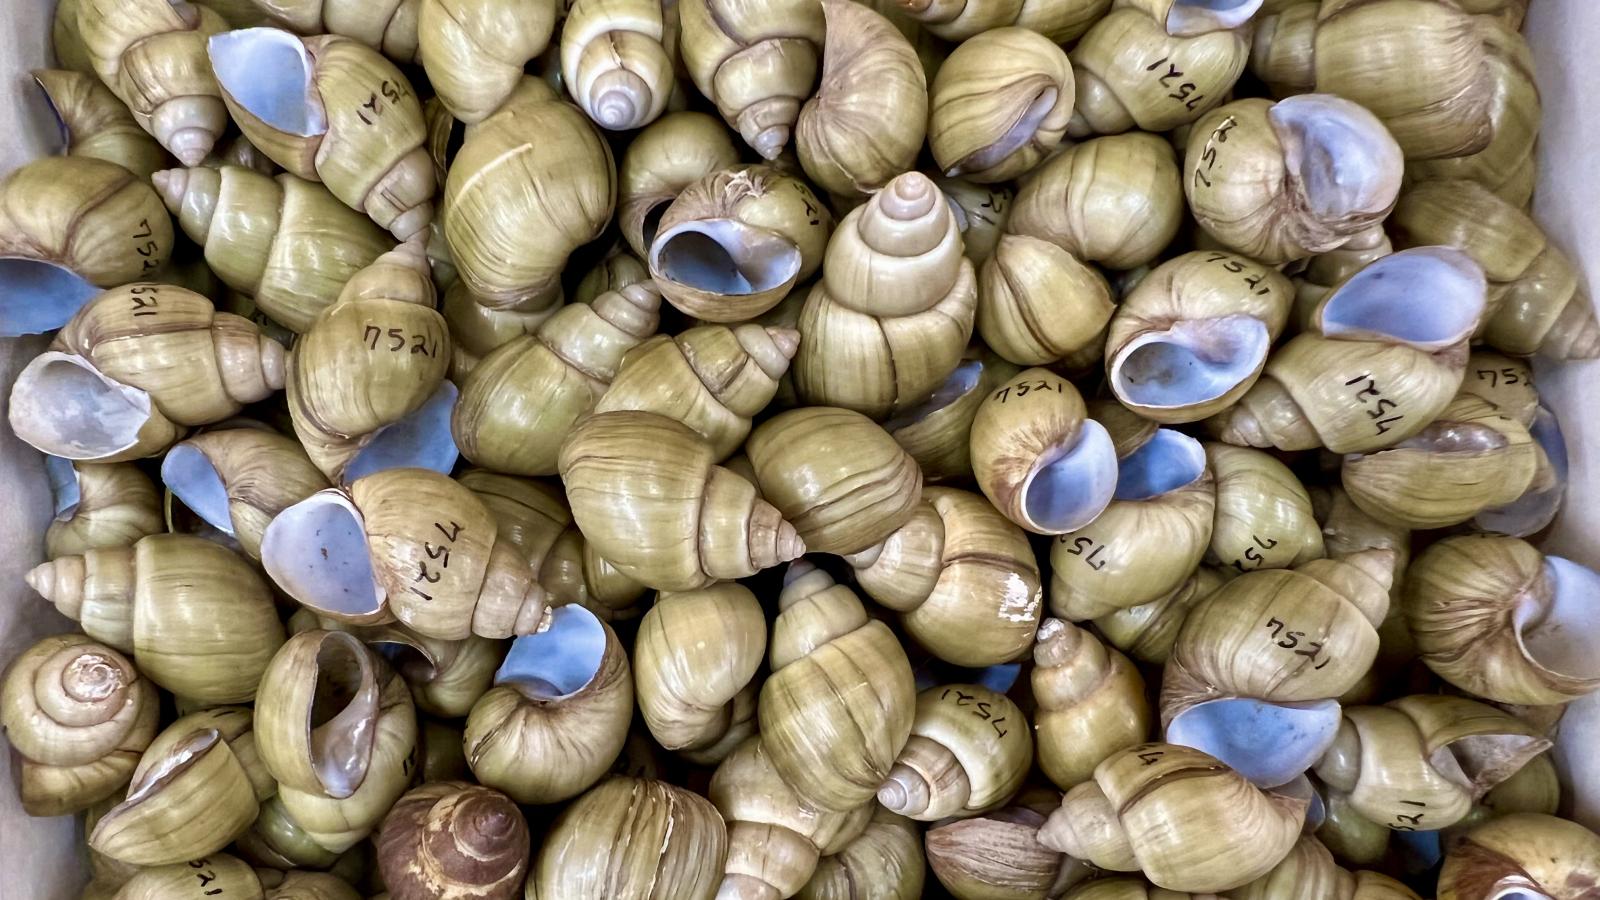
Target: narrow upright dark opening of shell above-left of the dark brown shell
x,y
343,715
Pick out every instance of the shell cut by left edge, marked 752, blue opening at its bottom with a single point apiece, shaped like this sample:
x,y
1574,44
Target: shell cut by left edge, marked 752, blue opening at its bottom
x,y
71,227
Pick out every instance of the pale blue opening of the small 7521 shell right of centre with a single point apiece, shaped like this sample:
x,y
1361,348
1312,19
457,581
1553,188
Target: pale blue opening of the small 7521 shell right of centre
x,y
1071,486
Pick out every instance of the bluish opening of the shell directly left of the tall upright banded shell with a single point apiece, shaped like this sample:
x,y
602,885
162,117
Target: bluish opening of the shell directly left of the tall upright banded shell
x,y
726,257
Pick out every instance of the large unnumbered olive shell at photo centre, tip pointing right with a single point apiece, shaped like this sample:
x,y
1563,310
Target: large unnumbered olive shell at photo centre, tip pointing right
x,y
639,483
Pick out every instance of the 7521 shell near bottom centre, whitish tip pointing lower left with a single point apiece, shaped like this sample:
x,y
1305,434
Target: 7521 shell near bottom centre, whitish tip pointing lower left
x,y
969,753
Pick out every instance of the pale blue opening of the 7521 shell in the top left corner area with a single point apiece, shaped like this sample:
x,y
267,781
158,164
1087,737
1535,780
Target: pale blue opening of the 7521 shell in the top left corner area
x,y
270,73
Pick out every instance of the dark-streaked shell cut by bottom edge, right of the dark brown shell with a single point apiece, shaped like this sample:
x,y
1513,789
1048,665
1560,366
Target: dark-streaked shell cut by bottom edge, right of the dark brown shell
x,y
633,840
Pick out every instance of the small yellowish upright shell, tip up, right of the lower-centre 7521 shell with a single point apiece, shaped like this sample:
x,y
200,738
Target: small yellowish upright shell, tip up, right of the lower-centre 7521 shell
x,y
1090,704
